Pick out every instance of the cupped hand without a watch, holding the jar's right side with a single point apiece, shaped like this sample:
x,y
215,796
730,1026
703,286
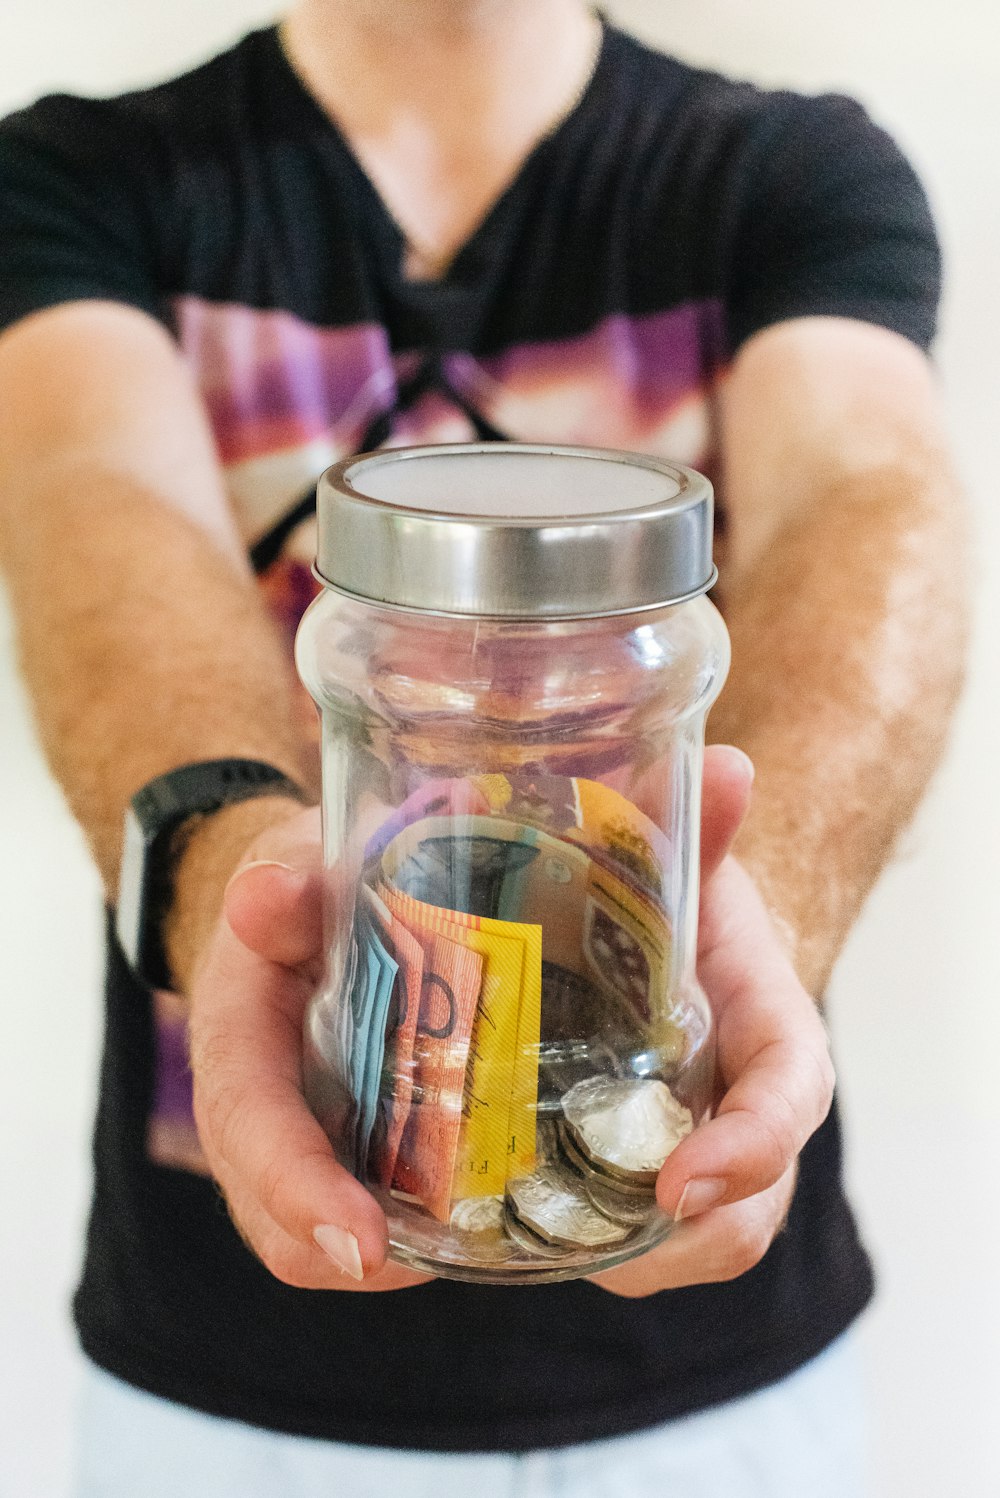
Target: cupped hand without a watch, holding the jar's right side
x,y
730,1184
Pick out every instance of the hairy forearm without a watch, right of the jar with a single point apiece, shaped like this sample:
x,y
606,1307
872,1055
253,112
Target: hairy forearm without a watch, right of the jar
x,y
848,637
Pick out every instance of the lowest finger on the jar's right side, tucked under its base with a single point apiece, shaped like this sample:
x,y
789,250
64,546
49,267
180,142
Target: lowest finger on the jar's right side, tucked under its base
x,y
719,1246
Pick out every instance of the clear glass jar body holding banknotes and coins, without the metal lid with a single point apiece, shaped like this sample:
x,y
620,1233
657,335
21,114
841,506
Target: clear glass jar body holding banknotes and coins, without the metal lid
x,y
511,819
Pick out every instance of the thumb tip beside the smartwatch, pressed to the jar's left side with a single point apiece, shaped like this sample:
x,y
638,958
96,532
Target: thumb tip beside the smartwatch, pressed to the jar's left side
x,y
278,912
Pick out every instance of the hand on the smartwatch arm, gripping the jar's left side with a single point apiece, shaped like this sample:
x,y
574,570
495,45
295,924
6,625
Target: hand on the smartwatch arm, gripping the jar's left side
x,y
309,1222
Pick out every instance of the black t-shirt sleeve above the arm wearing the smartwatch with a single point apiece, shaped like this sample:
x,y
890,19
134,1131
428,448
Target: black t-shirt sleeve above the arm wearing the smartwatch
x,y
76,209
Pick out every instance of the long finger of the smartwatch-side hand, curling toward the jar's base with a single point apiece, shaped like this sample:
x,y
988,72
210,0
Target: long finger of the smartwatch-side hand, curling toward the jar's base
x,y
252,1118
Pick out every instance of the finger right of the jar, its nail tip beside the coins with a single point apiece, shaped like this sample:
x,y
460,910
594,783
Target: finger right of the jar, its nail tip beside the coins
x,y
773,1058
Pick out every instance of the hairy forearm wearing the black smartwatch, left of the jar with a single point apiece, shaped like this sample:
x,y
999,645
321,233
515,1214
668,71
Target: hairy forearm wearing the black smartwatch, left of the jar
x,y
144,646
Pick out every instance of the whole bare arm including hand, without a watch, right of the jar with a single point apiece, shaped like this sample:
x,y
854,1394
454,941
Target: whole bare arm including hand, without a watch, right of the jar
x,y
844,582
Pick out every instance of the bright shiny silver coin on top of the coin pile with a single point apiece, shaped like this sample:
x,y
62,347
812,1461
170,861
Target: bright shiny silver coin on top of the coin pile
x,y
626,1127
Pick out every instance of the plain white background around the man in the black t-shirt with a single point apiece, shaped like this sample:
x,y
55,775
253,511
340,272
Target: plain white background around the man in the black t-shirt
x,y
915,1004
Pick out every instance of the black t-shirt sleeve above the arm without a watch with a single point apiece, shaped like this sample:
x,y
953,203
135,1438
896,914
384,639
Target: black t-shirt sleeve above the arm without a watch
x,y
835,224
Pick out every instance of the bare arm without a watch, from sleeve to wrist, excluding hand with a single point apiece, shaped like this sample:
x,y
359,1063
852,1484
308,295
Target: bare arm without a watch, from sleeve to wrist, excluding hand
x,y
845,588
